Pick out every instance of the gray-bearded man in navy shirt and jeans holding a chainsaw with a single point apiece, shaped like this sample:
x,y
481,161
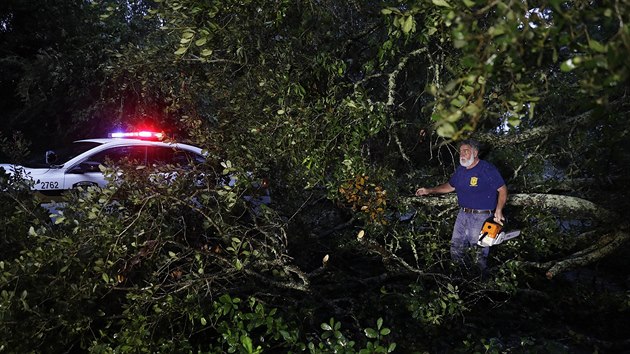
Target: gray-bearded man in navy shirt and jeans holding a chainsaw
x,y
481,192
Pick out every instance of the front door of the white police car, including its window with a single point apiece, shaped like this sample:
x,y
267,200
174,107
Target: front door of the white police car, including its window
x,y
88,173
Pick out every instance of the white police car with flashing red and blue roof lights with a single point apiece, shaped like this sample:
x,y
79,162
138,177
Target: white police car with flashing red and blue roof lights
x,y
78,164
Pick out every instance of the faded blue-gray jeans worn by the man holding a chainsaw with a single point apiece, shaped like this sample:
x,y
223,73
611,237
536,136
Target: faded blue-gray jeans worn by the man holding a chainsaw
x,y
465,236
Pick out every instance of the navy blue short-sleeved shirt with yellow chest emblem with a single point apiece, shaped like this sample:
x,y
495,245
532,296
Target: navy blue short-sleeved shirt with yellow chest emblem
x,y
476,188
